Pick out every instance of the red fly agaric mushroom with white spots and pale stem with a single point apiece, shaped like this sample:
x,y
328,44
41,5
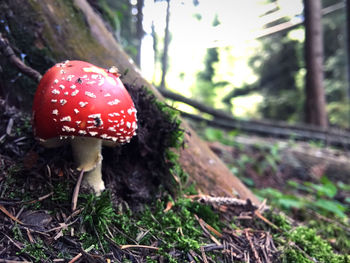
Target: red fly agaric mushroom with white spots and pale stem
x,y
87,106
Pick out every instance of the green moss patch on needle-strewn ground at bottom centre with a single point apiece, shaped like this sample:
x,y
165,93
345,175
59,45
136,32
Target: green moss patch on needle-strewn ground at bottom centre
x,y
175,229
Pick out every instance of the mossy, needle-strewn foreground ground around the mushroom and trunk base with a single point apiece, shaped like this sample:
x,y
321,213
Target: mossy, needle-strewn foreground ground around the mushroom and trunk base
x,y
126,224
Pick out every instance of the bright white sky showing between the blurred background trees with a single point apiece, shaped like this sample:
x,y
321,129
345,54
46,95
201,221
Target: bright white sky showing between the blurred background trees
x,y
240,21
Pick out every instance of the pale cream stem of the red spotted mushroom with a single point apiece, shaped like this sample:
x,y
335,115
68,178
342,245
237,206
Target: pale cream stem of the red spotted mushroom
x,y
87,156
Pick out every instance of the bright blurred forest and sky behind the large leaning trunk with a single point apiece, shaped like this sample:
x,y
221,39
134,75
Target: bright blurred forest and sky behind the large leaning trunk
x,y
260,77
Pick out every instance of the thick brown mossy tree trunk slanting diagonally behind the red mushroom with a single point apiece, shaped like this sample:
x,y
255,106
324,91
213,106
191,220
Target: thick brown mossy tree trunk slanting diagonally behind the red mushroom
x,y
75,31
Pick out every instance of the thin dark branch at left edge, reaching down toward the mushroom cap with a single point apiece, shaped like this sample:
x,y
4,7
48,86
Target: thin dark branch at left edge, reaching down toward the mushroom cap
x,y
8,52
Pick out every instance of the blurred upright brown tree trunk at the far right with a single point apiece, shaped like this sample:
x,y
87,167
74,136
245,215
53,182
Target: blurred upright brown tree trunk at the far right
x,y
315,105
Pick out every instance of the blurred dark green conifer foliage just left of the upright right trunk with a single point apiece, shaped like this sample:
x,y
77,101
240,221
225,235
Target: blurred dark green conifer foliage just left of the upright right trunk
x,y
278,66
